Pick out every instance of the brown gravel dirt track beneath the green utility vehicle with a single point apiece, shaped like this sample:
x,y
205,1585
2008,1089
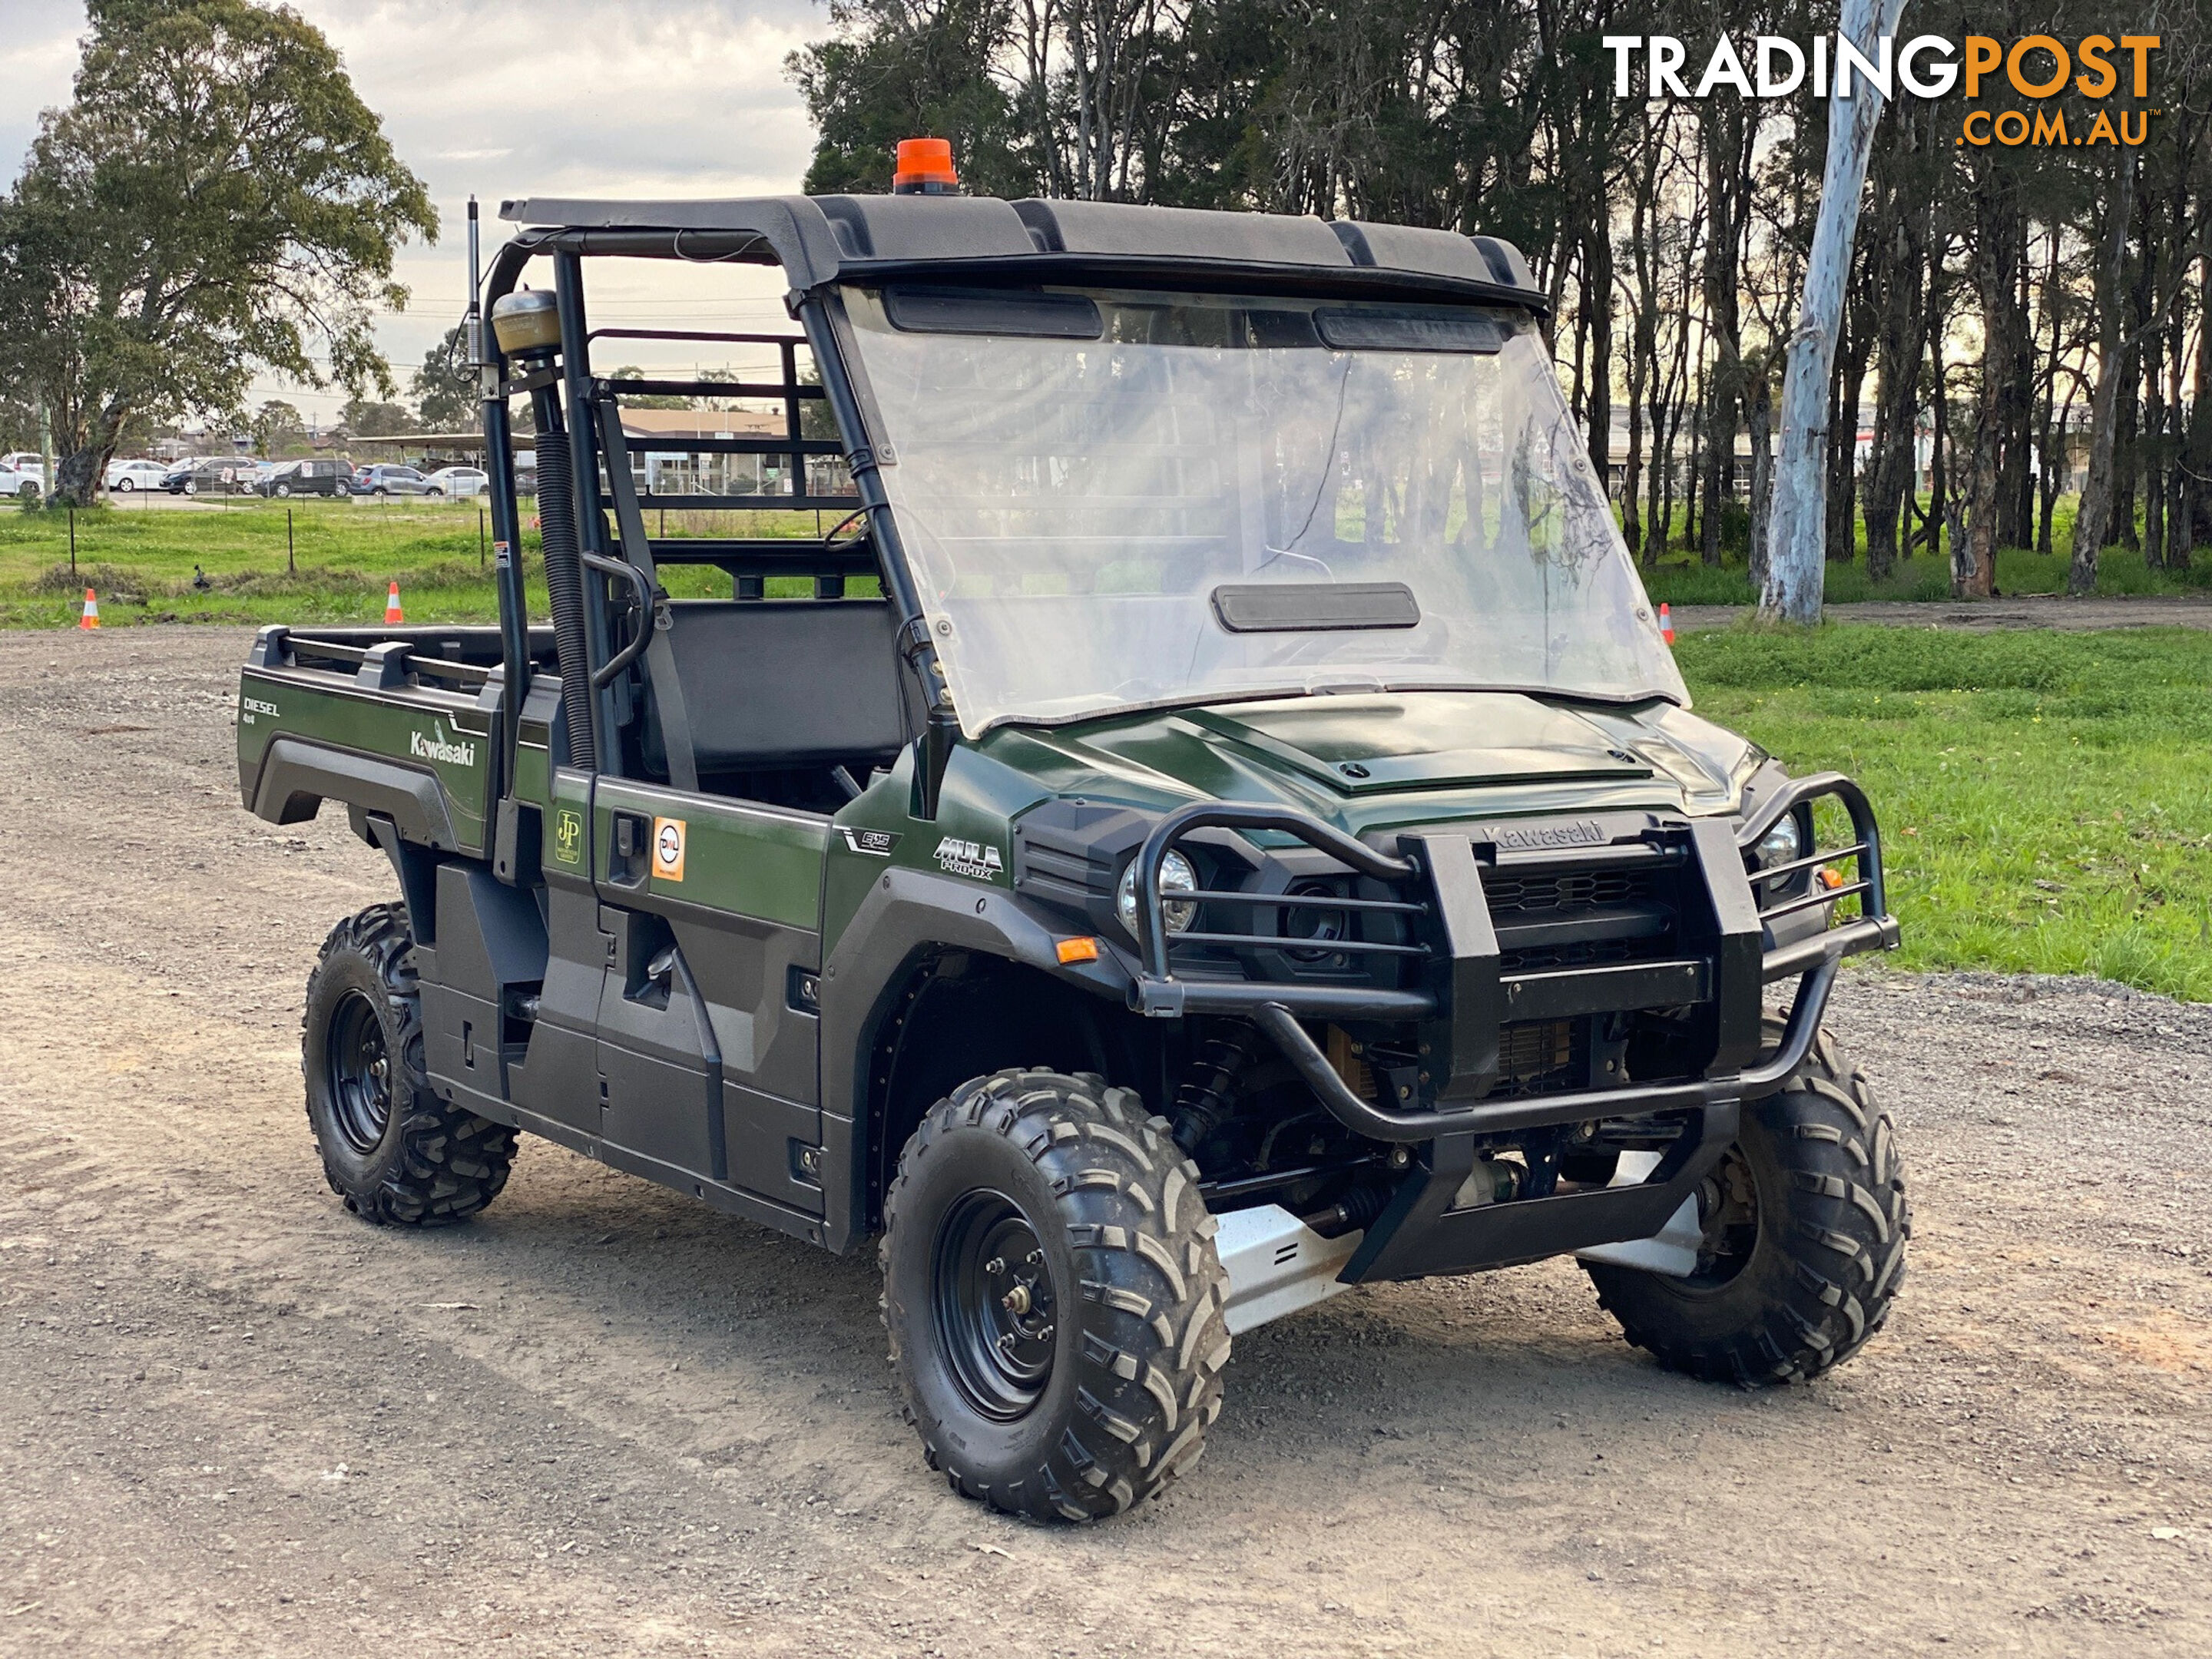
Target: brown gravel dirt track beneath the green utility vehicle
x,y
236,1421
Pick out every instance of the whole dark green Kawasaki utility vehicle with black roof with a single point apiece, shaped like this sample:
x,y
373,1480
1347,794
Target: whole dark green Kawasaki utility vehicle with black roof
x,y
1207,822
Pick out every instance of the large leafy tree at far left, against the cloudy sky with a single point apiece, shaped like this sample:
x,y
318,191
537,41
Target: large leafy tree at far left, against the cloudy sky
x,y
213,202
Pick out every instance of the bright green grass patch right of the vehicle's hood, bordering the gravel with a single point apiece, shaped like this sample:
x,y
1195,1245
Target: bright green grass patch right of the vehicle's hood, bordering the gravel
x,y
2045,800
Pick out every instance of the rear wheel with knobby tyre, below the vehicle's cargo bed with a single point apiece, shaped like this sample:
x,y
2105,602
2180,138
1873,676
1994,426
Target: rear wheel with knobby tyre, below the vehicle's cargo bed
x,y
390,1147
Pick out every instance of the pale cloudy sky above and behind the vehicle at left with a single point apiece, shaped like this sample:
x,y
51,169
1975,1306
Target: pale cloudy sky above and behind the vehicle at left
x,y
682,98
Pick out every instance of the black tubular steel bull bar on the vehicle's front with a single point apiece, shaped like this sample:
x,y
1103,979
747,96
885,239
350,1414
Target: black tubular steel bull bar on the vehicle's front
x,y
1470,999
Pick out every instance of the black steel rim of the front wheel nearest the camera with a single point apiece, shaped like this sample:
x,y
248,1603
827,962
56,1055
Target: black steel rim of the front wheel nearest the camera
x,y
997,1313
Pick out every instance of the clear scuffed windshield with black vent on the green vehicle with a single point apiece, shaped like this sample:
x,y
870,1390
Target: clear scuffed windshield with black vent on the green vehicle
x,y
1200,499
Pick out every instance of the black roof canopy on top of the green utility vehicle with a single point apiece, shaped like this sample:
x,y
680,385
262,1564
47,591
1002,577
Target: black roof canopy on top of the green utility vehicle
x,y
822,240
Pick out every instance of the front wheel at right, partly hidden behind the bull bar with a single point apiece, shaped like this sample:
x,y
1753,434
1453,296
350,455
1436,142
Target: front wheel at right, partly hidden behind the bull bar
x,y
1804,1238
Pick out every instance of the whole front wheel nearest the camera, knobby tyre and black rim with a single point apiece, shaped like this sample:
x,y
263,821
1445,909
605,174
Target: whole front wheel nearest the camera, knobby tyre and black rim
x,y
1054,1297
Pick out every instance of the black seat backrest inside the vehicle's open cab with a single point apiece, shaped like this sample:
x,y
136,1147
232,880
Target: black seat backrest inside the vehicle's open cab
x,y
791,682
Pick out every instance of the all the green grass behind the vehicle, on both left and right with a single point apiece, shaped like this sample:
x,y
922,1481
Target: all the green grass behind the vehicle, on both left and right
x,y
2047,797
